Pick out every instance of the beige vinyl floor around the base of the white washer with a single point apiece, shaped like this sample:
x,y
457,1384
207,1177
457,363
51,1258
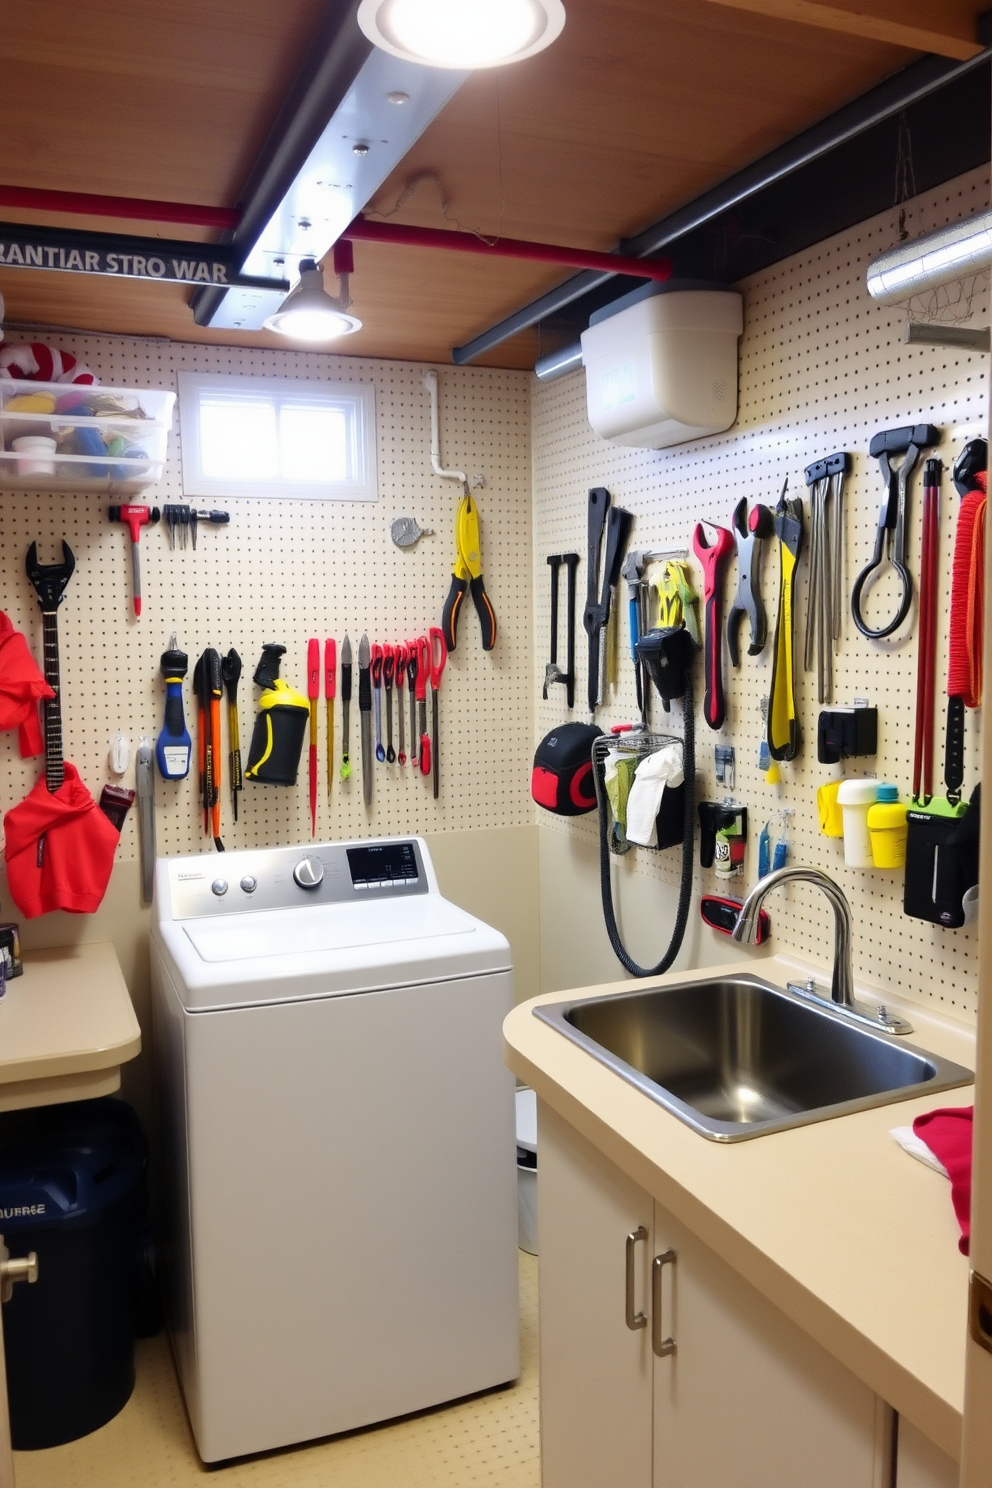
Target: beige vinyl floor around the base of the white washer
x,y
489,1441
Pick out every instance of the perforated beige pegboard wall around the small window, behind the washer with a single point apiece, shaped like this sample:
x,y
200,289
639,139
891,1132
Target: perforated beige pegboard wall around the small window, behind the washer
x,y
288,571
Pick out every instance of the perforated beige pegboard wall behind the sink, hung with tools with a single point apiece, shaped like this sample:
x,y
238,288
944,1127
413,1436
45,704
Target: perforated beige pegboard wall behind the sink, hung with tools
x,y
822,370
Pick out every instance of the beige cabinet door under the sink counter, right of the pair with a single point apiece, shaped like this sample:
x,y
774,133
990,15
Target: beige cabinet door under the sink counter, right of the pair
x,y
746,1399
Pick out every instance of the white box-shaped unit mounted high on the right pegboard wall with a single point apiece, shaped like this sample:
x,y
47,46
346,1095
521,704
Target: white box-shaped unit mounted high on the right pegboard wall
x,y
663,365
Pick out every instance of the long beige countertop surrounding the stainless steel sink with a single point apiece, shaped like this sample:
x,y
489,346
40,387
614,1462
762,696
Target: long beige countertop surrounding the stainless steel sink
x,y
834,1222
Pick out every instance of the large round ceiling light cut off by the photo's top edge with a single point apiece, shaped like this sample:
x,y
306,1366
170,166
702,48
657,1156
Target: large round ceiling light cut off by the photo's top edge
x,y
462,33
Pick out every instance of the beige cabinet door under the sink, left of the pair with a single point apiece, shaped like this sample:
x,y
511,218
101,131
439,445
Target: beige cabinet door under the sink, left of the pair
x,y
596,1371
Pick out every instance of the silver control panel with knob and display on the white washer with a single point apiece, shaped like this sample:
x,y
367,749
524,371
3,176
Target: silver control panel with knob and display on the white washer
x,y
297,877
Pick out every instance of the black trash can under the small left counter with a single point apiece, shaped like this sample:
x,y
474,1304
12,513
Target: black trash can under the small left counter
x,y
74,1190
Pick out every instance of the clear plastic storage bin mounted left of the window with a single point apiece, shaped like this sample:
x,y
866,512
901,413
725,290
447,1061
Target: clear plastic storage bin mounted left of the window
x,y
108,440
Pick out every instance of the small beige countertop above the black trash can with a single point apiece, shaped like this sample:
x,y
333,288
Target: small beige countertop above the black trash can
x,y
66,1027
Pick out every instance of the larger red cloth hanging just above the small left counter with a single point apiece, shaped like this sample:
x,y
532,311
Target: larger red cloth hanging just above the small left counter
x,y
71,868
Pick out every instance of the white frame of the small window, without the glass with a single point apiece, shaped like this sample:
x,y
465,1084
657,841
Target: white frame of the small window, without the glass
x,y
358,400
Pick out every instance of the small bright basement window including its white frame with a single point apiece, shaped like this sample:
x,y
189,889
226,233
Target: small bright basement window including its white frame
x,y
277,438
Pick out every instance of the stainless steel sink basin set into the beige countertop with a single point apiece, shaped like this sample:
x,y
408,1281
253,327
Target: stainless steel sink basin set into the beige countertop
x,y
738,1059
